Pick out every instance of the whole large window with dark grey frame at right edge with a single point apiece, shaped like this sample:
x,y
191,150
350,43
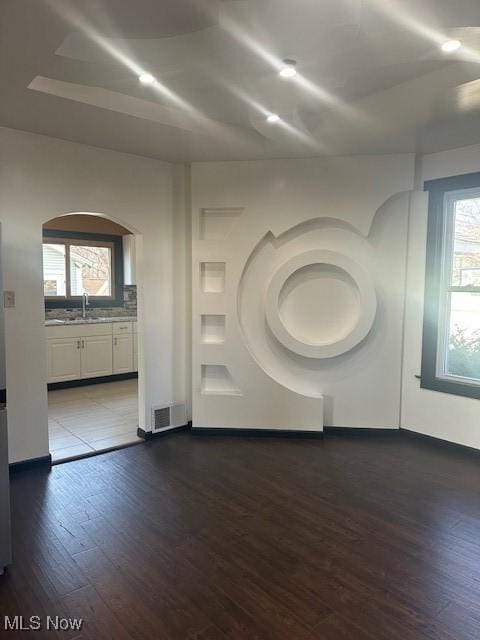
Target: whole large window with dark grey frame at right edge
x,y
451,337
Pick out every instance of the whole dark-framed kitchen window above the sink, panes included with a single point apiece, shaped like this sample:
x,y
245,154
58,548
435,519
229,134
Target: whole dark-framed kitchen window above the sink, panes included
x,y
74,264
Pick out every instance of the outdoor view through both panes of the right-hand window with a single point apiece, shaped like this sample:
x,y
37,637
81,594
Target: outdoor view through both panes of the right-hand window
x,y
462,356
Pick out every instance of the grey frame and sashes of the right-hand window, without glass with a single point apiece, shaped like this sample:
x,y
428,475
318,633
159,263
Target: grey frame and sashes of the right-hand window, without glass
x,y
442,194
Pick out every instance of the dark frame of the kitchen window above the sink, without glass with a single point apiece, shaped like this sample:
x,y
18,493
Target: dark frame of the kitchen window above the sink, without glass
x,y
54,236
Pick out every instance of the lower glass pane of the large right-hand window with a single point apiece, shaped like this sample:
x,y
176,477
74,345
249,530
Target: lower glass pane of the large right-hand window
x,y
463,340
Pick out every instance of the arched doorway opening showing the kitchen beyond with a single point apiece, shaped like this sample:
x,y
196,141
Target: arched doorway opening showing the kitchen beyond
x,y
89,280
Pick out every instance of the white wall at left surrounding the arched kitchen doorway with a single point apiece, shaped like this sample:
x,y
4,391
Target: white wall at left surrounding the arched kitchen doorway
x,y
41,178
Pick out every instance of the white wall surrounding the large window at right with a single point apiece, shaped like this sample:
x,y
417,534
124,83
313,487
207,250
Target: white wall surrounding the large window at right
x,y
441,415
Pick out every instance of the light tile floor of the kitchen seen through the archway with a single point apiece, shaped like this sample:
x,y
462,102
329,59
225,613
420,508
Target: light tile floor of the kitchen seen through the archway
x,y
86,419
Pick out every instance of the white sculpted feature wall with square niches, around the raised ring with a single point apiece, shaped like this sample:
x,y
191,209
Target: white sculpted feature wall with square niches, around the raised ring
x,y
274,211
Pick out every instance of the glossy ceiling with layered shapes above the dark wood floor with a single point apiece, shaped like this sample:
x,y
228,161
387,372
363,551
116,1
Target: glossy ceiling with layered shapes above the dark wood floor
x,y
371,75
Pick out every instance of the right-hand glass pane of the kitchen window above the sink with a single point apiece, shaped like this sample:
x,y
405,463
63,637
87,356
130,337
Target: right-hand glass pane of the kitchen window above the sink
x,y
90,270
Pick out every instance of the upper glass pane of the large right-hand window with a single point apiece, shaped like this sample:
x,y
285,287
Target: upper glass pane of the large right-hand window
x,y
466,243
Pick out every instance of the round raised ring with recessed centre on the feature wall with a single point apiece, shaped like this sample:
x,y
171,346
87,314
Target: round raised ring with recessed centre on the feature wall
x,y
320,304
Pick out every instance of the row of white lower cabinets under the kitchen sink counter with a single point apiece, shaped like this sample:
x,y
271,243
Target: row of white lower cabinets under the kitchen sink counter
x,y
90,351
